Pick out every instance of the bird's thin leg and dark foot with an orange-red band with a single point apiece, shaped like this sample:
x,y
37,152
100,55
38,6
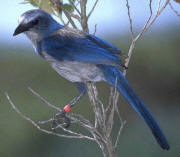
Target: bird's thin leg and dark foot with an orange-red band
x,y
61,118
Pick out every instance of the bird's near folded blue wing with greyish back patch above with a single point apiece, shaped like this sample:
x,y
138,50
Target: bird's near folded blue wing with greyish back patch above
x,y
70,45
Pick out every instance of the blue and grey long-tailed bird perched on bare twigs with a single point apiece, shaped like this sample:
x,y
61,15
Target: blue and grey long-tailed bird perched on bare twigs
x,y
81,57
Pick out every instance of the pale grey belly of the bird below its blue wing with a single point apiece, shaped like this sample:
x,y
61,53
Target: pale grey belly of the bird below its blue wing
x,y
78,72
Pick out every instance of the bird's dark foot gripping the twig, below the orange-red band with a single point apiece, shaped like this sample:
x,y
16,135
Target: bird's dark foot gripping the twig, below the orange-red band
x,y
60,119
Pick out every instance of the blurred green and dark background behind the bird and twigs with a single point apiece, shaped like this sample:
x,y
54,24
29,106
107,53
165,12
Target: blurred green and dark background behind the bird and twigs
x,y
154,73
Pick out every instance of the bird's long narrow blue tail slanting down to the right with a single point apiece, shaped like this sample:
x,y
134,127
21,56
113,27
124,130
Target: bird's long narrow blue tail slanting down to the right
x,y
112,74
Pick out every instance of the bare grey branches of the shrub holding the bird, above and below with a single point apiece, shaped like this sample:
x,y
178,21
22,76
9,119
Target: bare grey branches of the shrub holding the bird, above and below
x,y
100,130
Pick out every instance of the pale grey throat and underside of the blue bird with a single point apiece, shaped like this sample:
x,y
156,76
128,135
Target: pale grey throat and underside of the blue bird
x,y
72,71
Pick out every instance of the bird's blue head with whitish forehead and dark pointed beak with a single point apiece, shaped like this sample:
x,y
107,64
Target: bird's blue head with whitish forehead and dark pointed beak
x,y
36,22
